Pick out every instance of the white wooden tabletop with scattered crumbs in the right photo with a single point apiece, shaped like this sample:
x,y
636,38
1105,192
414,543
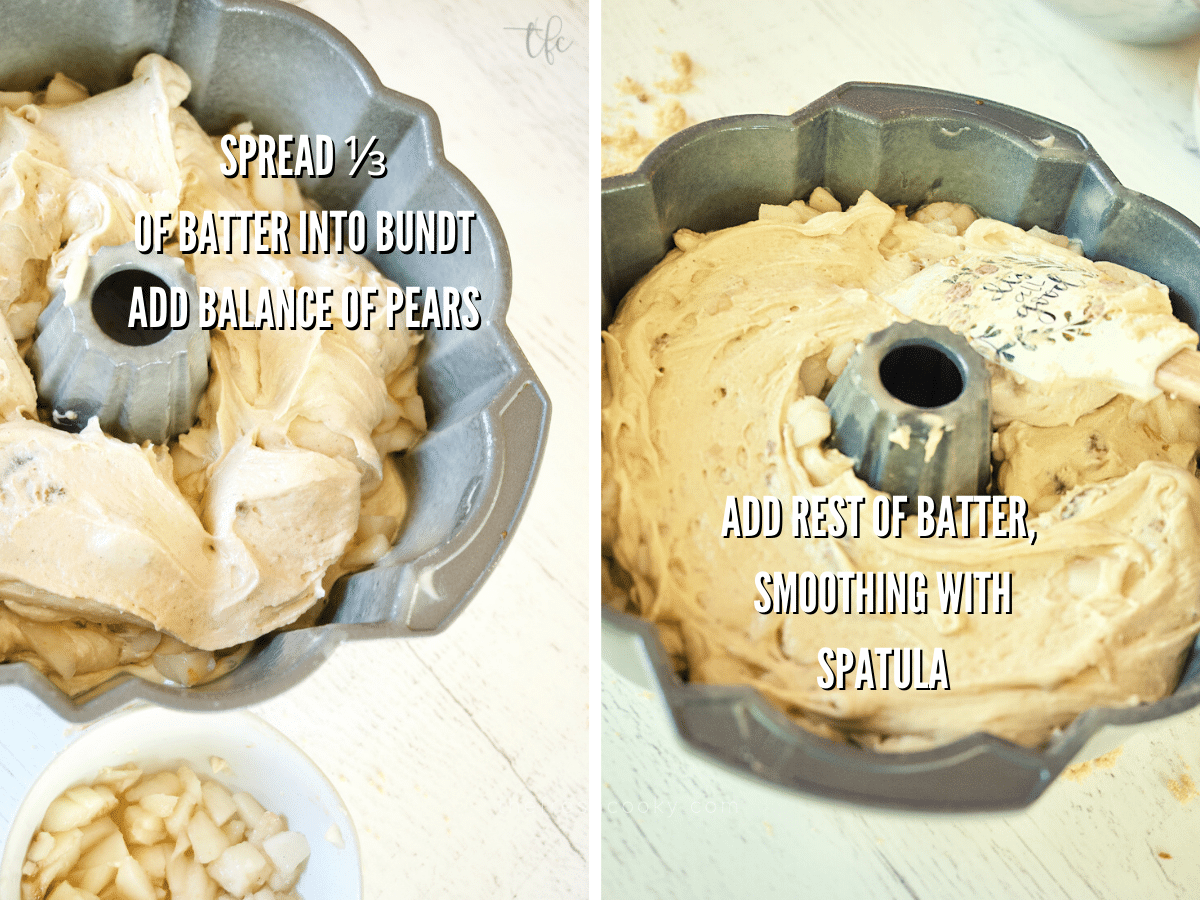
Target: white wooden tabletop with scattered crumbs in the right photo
x,y
674,826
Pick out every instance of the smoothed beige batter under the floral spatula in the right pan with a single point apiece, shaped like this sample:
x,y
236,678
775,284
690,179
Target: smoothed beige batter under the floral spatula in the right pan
x,y
716,368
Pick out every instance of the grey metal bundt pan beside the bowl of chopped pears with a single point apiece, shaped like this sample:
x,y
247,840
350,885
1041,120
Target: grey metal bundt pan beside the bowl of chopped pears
x,y
470,477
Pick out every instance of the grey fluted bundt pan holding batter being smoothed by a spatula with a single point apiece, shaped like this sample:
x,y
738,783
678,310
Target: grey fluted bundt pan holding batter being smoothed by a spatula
x,y
908,146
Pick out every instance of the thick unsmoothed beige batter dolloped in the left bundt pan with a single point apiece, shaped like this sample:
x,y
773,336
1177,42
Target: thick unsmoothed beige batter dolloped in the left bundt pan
x,y
239,526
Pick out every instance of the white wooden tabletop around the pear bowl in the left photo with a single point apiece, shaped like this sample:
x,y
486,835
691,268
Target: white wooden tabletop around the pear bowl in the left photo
x,y
464,758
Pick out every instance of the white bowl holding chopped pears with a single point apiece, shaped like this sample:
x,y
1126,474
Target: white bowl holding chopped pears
x,y
262,763
